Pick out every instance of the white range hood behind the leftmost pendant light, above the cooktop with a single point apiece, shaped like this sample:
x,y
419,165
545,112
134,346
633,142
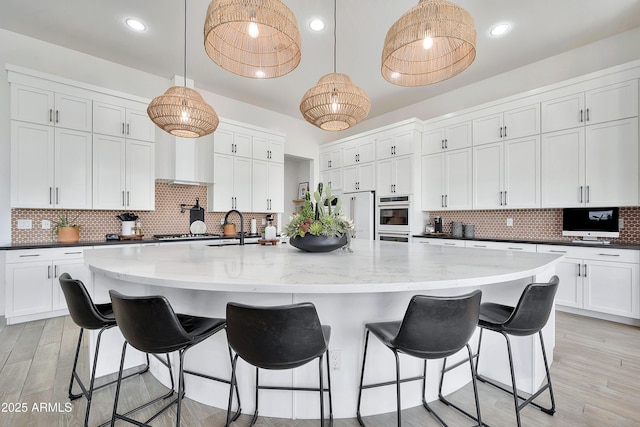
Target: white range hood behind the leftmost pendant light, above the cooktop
x,y
185,161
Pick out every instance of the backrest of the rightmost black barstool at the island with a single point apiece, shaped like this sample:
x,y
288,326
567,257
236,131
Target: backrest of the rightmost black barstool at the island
x,y
533,309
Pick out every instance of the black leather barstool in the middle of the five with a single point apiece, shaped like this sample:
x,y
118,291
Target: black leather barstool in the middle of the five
x,y
278,337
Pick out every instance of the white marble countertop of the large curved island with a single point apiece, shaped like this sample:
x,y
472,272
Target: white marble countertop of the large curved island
x,y
373,266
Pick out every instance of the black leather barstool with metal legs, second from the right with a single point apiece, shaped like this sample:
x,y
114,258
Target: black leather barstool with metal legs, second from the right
x,y
433,327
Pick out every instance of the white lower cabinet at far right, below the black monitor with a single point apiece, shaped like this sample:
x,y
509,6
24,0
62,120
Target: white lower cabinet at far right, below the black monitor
x,y
601,280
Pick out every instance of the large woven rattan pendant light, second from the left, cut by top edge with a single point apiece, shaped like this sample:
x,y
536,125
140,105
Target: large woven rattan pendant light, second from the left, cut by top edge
x,y
252,38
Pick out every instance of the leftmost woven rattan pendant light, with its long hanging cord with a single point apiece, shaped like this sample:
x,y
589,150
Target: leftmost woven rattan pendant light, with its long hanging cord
x,y
181,111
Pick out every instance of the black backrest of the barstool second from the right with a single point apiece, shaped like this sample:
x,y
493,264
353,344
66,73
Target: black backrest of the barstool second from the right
x,y
435,327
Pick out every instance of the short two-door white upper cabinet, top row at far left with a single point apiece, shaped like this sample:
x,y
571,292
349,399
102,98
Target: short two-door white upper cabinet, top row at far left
x,y
46,107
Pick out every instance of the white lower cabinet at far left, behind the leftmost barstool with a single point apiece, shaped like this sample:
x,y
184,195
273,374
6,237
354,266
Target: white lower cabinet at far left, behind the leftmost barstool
x,y
32,288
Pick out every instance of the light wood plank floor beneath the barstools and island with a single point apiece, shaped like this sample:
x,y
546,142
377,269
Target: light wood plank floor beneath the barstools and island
x,y
596,378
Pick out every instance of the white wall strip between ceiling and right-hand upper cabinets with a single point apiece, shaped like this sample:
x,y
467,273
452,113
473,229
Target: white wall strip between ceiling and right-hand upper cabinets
x,y
596,56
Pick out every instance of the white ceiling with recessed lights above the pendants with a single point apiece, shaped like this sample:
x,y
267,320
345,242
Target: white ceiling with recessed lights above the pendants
x,y
540,29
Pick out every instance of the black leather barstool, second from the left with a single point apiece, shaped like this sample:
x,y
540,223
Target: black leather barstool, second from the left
x,y
149,324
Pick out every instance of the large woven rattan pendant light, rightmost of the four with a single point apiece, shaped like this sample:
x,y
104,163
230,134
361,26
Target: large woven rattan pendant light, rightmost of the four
x,y
432,42
